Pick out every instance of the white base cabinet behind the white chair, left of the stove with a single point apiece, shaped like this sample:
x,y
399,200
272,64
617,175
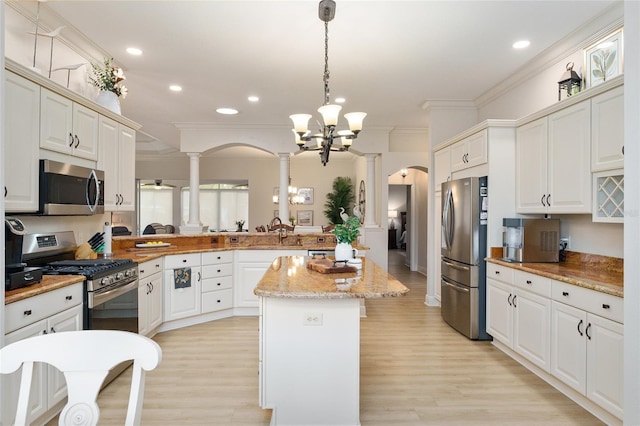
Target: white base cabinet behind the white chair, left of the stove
x,y
53,312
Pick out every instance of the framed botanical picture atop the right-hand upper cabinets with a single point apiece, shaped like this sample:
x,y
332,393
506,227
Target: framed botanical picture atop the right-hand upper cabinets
x,y
603,60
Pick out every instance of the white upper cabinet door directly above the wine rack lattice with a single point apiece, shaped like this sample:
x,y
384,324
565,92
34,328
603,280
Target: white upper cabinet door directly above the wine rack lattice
x,y
607,130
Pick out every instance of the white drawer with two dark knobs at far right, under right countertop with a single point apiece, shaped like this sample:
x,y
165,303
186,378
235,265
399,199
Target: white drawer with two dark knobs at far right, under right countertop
x,y
602,304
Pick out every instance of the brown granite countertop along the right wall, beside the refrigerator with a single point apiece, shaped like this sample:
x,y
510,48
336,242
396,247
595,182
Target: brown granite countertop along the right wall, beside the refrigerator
x,y
599,273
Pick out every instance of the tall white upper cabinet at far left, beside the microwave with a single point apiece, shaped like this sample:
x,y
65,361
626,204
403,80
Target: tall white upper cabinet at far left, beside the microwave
x,y
22,136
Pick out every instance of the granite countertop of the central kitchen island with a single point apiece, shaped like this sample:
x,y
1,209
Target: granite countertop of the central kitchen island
x,y
289,277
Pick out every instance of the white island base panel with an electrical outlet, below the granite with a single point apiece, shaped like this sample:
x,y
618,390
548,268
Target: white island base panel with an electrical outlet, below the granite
x,y
310,361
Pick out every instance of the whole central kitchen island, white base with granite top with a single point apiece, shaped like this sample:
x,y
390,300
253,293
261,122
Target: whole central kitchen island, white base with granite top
x,y
310,340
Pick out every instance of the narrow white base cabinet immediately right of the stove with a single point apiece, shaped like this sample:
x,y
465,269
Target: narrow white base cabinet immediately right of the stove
x,y
150,296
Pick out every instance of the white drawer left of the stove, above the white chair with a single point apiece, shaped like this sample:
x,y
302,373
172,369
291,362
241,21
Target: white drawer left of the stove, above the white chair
x,y
36,308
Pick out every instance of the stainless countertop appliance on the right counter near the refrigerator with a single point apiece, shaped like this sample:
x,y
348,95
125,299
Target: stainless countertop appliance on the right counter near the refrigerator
x,y
531,240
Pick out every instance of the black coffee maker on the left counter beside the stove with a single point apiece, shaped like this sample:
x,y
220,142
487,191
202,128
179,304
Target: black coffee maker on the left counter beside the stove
x,y
16,274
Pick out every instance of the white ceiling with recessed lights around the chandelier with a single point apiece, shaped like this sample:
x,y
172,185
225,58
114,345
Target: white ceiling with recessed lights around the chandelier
x,y
386,57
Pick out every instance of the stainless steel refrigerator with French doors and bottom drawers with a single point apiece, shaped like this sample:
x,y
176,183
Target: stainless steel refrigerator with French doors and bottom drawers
x,y
464,247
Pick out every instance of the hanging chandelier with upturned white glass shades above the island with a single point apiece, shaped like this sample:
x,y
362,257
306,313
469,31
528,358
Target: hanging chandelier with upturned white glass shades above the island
x,y
324,140
